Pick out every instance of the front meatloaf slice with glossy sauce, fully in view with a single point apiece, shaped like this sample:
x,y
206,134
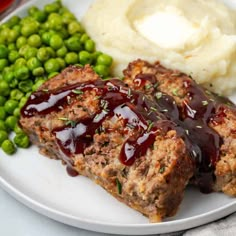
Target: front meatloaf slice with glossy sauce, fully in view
x,y
105,131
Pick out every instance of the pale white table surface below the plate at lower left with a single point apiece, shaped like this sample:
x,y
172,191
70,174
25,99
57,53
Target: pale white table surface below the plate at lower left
x,y
18,220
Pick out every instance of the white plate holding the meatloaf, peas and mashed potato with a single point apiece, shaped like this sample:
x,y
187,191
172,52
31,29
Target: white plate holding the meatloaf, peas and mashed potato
x,y
43,185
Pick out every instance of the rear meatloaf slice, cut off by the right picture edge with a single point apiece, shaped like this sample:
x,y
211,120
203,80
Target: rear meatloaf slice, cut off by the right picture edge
x,y
211,118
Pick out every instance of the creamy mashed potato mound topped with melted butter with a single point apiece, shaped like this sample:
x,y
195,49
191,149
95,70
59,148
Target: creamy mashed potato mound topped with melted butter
x,y
197,37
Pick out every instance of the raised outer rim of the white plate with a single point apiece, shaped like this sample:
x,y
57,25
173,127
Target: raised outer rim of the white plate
x,y
101,226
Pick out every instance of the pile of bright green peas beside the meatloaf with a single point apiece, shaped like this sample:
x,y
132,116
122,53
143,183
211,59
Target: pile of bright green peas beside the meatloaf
x,y
32,50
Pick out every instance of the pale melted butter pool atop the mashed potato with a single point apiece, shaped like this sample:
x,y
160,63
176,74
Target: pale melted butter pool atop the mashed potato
x,y
168,29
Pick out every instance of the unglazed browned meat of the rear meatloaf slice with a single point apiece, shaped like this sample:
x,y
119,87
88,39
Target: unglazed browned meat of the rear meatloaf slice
x,y
171,82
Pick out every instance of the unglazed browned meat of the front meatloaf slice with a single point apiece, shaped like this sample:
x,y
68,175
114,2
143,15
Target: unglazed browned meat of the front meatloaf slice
x,y
153,185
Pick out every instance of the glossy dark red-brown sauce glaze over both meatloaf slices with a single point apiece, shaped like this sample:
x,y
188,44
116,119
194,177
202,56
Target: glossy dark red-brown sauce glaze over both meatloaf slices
x,y
147,117
